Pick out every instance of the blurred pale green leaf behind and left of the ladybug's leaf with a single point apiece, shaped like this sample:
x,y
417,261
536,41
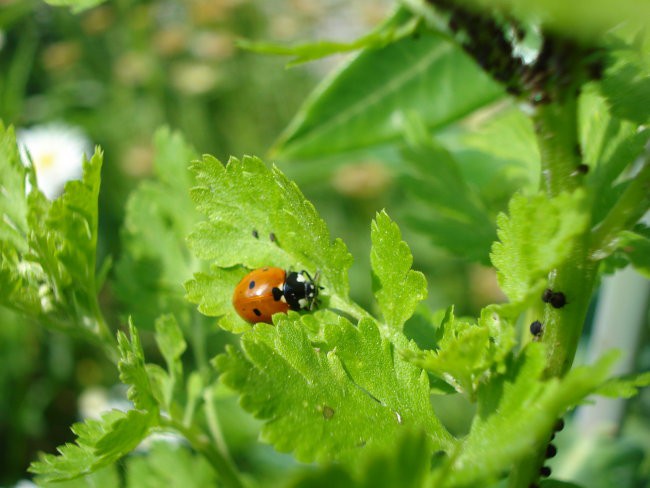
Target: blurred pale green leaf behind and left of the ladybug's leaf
x,y
159,215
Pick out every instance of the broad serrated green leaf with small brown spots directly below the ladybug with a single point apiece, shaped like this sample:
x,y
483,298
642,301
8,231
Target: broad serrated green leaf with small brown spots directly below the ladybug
x,y
311,394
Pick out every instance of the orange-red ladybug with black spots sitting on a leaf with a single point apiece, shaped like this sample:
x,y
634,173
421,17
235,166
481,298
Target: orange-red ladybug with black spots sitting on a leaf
x,y
266,291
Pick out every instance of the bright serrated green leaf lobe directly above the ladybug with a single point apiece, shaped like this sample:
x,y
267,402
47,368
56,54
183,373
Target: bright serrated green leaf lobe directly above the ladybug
x,y
245,203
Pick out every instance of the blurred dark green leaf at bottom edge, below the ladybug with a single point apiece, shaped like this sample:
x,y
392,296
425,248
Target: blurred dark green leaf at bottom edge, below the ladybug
x,y
406,465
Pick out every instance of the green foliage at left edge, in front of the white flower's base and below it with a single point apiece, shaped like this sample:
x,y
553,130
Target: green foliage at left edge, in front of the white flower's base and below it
x,y
49,247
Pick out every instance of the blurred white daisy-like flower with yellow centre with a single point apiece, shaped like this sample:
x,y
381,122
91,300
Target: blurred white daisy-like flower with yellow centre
x,y
57,152
